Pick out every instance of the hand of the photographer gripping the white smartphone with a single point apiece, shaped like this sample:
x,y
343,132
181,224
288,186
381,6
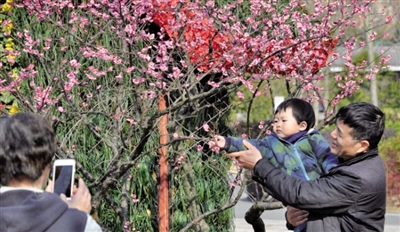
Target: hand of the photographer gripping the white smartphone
x,y
80,199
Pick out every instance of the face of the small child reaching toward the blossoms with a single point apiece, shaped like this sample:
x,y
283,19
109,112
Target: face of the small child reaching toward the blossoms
x,y
285,124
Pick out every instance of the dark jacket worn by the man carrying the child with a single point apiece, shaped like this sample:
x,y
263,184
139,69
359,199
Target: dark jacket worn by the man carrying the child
x,y
351,197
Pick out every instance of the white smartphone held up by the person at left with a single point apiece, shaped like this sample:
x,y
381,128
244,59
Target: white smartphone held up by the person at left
x,y
64,176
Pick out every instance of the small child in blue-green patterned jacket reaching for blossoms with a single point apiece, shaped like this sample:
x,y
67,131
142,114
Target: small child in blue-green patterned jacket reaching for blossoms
x,y
294,146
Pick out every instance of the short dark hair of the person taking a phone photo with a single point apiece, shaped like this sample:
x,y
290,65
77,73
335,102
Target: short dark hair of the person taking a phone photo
x,y
27,145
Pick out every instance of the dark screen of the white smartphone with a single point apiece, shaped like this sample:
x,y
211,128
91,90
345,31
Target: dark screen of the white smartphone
x,y
62,180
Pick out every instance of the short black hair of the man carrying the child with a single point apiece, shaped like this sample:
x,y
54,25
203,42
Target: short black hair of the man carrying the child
x,y
366,120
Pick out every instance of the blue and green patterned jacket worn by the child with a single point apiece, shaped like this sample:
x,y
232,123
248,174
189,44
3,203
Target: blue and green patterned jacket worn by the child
x,y
307,158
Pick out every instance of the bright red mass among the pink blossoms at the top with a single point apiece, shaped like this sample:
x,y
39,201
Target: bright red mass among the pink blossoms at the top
x,y
208,47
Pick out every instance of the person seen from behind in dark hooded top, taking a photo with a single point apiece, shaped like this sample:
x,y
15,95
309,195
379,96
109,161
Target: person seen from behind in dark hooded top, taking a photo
x,y
27,148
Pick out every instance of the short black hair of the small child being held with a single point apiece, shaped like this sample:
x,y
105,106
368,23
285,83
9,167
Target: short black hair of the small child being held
x,y
302,111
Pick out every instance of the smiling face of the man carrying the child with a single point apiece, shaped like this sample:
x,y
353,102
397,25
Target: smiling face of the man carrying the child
x,y
343,144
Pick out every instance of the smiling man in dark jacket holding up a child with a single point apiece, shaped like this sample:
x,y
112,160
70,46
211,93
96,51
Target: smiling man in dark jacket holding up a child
x,y
352,196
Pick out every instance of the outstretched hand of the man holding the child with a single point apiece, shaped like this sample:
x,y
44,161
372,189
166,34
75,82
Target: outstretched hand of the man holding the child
x,y
247,159
